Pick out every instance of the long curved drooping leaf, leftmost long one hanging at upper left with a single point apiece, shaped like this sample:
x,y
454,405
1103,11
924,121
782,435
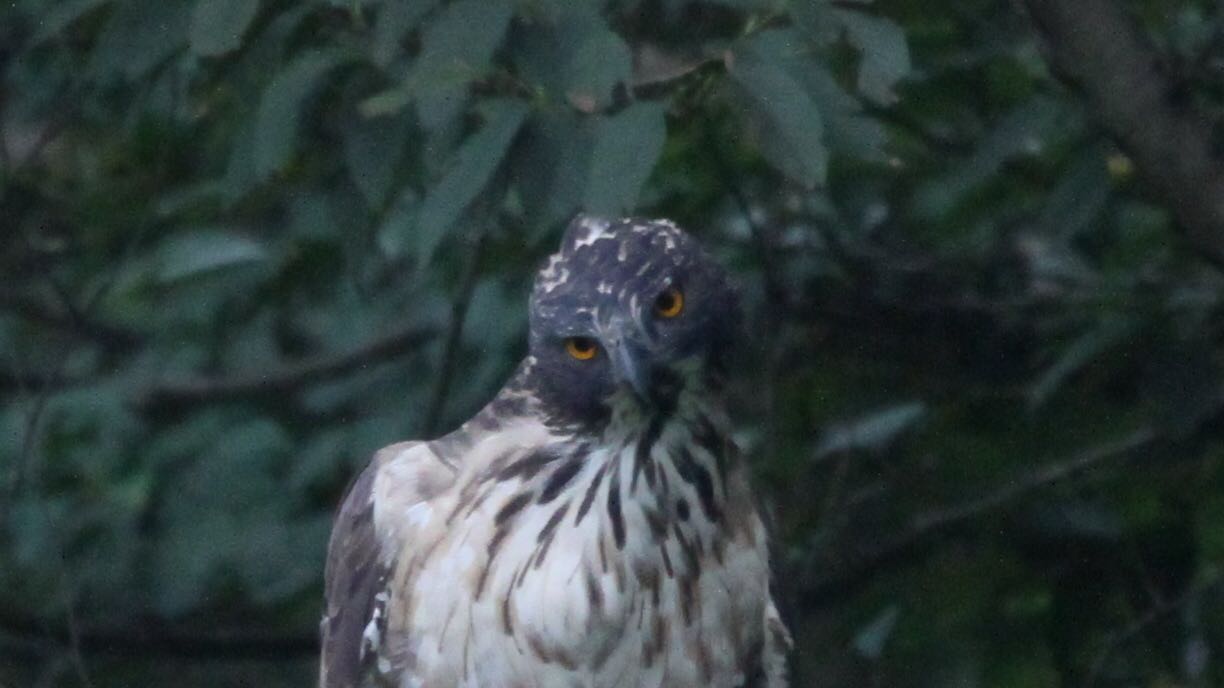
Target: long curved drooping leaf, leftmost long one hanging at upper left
x,y
281,111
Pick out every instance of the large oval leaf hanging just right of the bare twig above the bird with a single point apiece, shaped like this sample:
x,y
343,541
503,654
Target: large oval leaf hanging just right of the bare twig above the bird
x,y
788,123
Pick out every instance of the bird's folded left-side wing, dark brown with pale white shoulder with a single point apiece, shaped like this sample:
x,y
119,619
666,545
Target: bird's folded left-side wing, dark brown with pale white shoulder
x,y
360,558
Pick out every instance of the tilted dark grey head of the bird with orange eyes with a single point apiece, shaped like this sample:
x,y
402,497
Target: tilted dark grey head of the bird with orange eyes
x,y
629,313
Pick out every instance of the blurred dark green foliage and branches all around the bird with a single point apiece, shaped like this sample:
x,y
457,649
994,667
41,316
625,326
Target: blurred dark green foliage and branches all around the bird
x,y
248,242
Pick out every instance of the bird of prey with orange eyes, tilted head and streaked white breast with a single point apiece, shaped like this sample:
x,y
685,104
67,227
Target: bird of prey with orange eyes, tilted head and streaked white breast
x,y
592,527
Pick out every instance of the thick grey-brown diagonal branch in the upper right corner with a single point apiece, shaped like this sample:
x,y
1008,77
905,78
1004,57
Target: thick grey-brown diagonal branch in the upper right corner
x,y
1099,48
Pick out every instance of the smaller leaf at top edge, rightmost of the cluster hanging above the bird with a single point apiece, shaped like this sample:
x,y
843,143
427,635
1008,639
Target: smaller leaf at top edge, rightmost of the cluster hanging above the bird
x,y
884,54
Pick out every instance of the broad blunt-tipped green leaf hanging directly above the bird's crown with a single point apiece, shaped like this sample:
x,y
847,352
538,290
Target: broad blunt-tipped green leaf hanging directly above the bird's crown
x,y
626,150
